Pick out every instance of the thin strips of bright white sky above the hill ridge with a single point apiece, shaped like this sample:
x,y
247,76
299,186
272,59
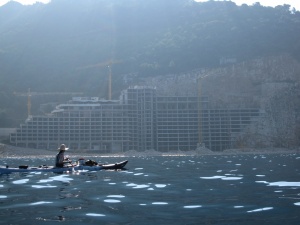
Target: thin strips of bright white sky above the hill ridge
x,y
293,3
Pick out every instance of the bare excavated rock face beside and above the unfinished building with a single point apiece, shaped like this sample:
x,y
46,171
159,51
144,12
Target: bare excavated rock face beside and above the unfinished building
x,y
271,84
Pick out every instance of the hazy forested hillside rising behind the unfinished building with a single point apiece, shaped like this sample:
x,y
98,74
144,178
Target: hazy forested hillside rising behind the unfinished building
x,y
66,45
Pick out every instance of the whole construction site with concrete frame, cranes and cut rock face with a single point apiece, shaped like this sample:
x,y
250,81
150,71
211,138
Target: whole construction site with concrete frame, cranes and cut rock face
x,y
235,106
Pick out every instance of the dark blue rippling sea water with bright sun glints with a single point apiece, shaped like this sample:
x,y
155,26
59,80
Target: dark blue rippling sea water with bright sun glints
x,y
220,189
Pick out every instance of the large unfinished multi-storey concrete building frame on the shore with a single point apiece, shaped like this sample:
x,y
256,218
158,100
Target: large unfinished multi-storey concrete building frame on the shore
x,y
140,120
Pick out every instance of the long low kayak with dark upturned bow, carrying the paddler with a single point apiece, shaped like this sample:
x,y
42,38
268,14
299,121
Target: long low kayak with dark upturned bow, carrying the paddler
x,y
76,167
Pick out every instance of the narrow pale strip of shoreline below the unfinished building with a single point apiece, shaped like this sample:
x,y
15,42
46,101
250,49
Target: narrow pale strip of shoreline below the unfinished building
x,y
8,151
